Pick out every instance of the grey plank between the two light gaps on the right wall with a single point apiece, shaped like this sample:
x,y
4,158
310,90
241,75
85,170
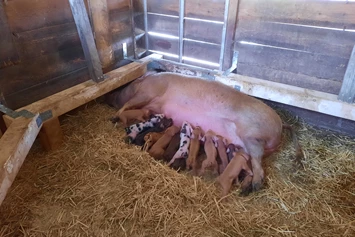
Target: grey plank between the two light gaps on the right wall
x,y
323,41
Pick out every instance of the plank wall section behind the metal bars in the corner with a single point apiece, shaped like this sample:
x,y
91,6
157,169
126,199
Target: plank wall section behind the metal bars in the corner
x,y
202,39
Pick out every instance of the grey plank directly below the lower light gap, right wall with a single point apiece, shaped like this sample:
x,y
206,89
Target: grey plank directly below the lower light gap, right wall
x,y
311,64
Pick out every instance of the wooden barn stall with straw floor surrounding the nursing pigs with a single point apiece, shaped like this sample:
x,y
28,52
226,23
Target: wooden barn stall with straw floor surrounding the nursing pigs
x,y
59,58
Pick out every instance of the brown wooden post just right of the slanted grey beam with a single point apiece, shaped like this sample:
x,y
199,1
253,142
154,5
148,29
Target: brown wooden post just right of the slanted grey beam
x,y
101,24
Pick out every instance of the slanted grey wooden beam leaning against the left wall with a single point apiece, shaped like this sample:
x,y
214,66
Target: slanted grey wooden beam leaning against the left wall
x,y
87,39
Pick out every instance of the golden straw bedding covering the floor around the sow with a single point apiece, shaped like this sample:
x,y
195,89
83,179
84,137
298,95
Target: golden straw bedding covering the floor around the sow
x,y
96,185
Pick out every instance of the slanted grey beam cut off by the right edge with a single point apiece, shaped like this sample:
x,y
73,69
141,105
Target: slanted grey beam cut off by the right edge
x,y
347,91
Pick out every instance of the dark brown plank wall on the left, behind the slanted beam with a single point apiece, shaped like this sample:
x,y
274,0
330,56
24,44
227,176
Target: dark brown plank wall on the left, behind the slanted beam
x,y
41,53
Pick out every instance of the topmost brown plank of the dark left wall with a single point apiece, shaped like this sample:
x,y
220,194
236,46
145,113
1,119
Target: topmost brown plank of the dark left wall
x,y
24,15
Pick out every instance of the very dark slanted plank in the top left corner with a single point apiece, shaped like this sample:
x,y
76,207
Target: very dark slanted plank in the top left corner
x,y
8,51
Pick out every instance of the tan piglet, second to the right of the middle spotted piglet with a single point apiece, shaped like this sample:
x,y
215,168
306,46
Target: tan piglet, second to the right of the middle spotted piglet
x,y
211,153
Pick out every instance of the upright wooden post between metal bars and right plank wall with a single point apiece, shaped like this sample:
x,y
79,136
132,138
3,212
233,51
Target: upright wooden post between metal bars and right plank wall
x,y
226,61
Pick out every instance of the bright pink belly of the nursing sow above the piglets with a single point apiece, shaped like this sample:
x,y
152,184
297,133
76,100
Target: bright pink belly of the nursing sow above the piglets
x,y
197,117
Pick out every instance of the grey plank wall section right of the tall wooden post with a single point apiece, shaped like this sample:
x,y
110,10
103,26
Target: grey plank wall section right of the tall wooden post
x,y
298,42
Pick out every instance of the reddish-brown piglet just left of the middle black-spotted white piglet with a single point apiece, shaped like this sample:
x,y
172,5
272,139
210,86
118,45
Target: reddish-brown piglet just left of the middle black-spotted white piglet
x,y
158,149
